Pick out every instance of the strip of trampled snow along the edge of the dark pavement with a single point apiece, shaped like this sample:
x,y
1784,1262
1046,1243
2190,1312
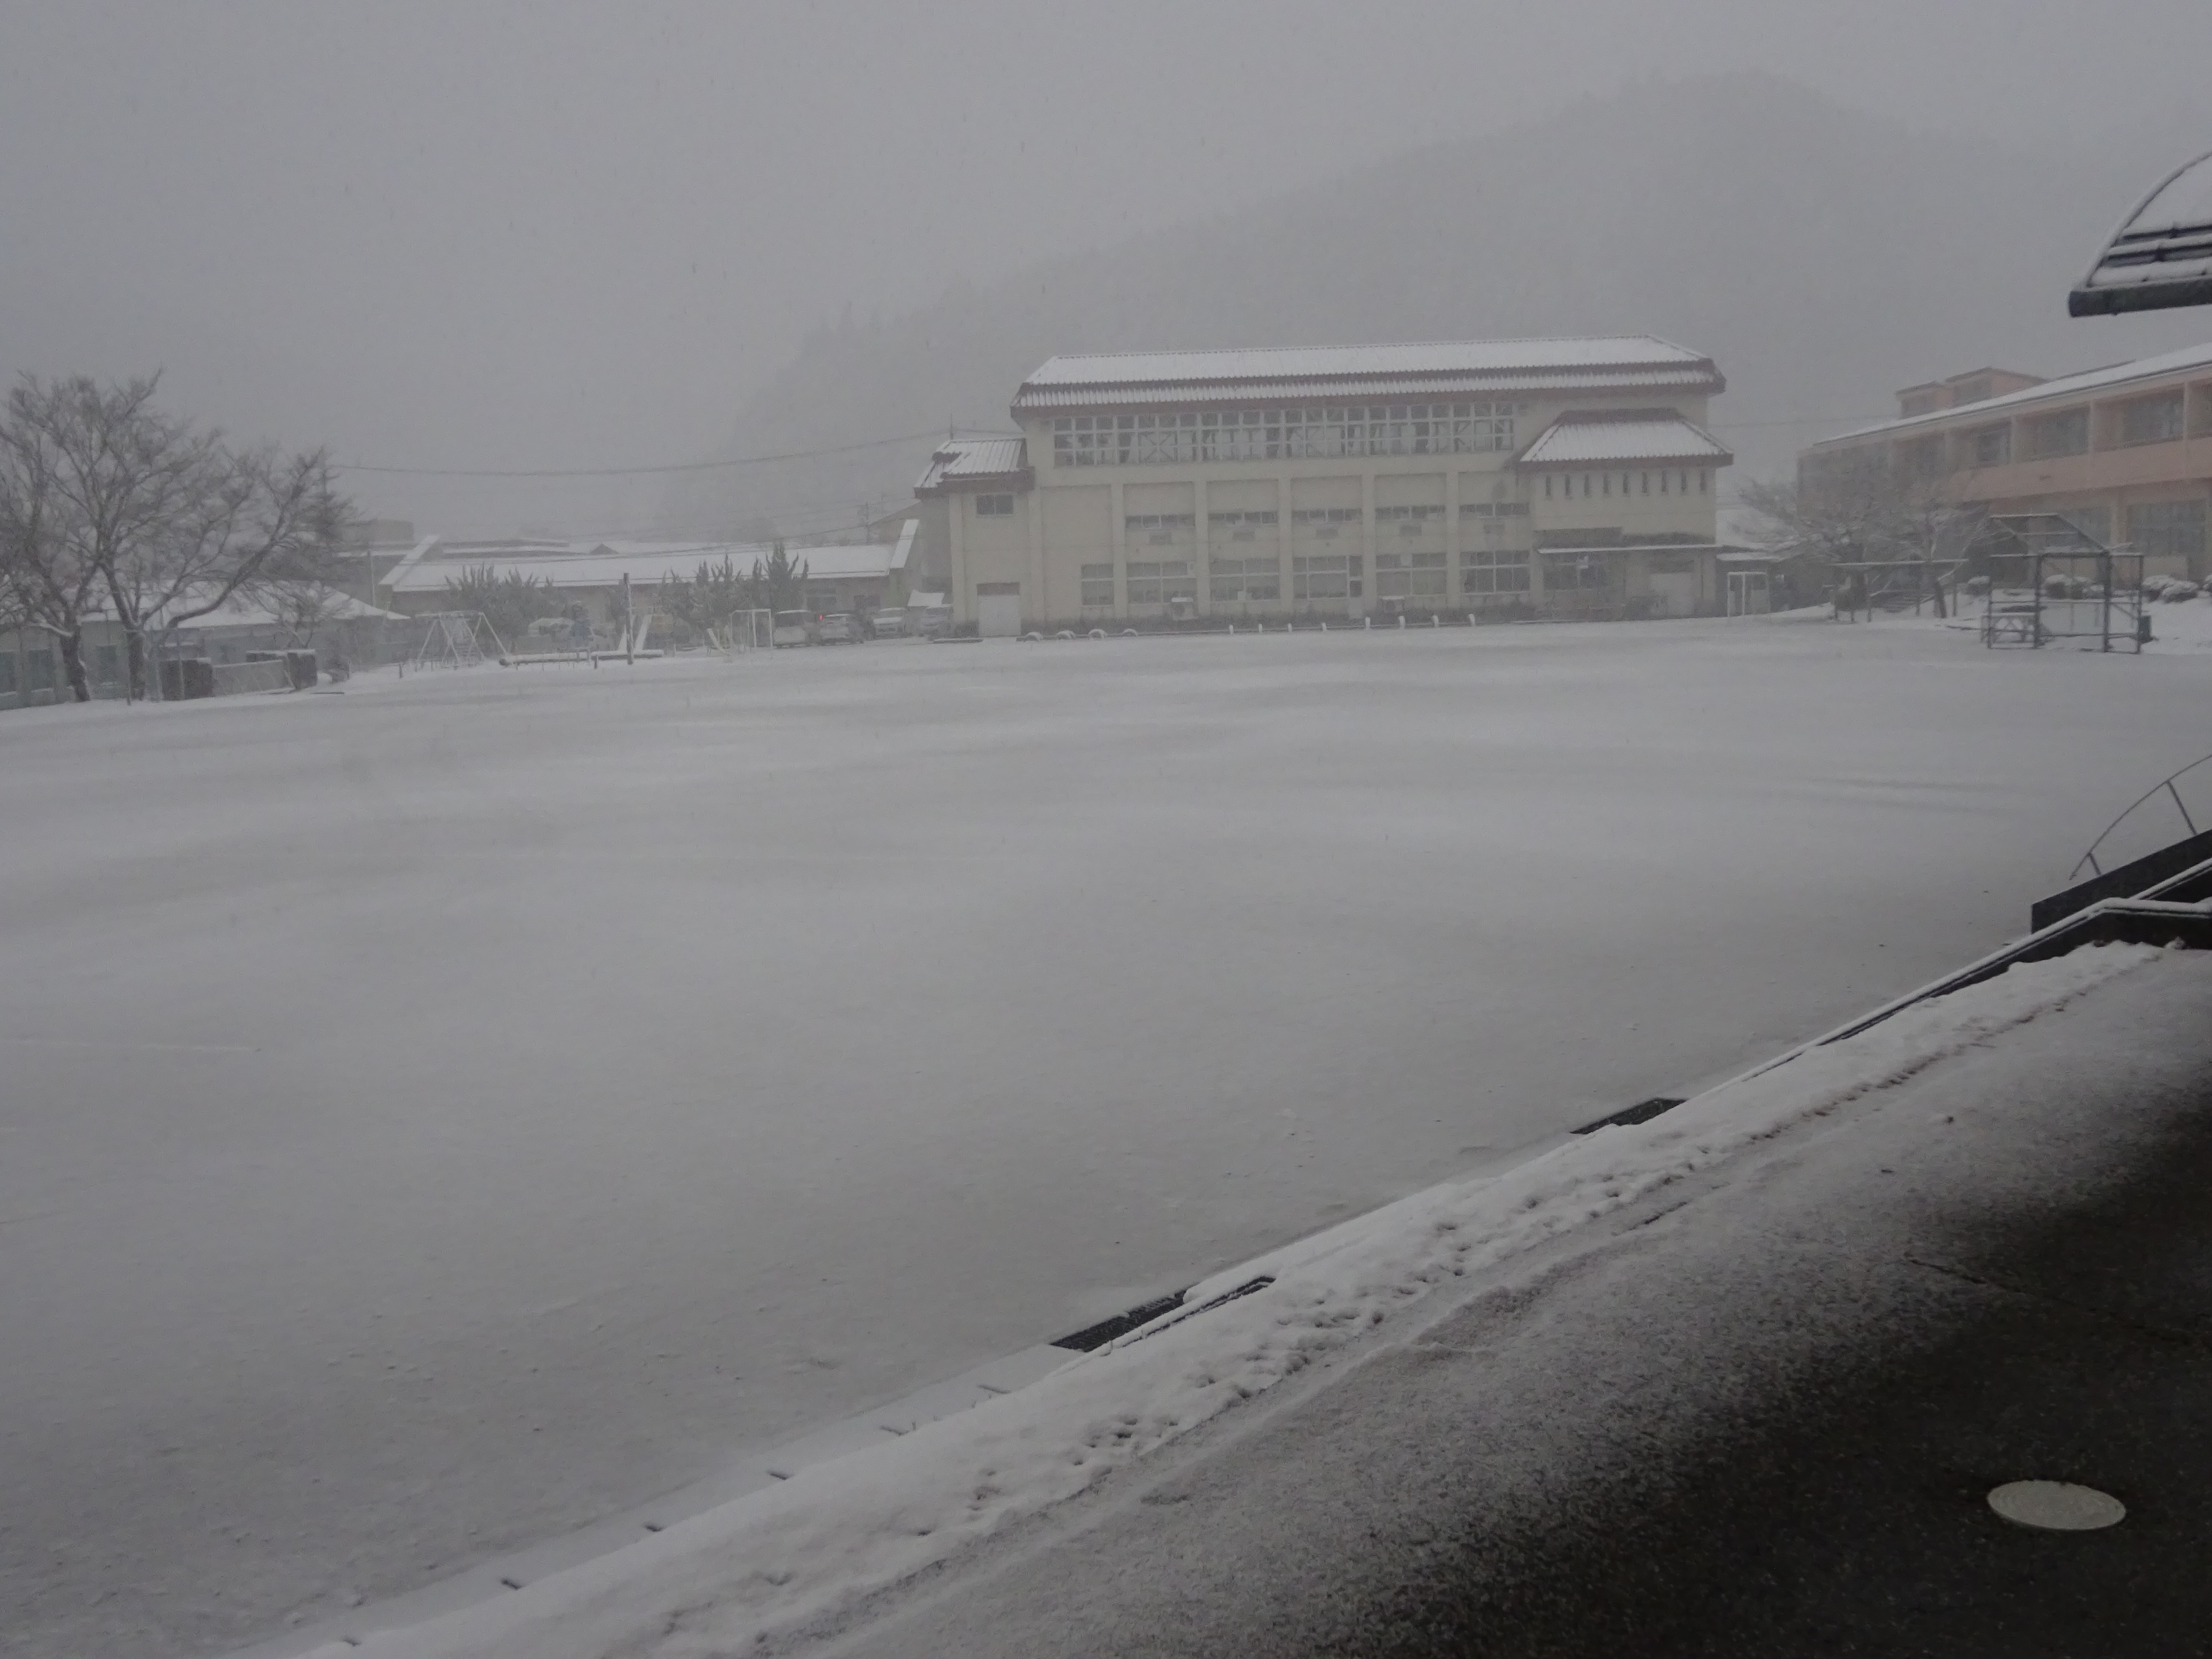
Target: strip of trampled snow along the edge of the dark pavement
x,y
766,1565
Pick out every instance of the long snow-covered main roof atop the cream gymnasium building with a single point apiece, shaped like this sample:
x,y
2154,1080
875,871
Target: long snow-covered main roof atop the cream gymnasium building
x,y
1295,373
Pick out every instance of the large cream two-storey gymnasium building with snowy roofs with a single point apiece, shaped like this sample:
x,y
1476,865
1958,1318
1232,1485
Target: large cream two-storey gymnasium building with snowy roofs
x,y
1565,477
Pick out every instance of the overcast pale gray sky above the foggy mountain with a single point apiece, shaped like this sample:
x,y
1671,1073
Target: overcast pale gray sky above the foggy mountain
x,y
563,236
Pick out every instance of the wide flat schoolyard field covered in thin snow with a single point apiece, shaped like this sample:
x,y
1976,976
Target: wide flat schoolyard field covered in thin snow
x,y
444,1114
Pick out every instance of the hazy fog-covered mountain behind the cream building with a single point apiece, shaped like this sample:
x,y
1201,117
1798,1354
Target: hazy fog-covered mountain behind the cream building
x,y
1824,258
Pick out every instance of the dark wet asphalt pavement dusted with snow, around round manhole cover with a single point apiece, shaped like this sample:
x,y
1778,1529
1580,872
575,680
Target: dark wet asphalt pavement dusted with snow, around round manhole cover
x,y
1760,1417
